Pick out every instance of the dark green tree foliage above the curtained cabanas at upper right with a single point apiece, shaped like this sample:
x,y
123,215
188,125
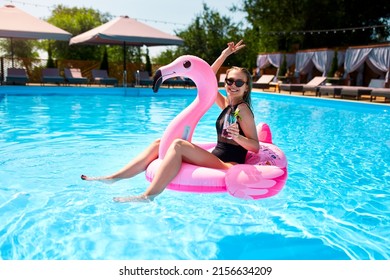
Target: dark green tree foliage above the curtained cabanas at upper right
x,y
288,25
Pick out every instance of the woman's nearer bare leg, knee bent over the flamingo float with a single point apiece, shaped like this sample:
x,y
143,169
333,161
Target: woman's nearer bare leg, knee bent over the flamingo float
x,y
179,151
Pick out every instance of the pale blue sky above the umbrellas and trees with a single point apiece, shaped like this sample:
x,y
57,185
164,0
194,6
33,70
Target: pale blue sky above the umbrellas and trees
x,y
167,16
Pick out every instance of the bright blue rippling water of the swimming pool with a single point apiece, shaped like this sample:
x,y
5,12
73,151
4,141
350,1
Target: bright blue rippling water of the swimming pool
x,y
335,204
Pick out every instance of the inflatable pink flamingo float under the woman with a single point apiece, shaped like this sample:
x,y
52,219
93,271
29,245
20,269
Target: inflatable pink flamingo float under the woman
x,y
264,173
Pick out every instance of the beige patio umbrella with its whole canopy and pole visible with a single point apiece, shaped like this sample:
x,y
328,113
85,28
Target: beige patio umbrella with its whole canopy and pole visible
x,y
126,31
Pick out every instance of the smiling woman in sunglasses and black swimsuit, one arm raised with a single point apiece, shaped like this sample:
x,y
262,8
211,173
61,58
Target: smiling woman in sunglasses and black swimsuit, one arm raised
x,y
231,150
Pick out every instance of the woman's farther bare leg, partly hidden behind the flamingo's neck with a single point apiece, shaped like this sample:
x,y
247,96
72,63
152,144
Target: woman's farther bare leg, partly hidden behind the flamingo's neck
x,y
134,167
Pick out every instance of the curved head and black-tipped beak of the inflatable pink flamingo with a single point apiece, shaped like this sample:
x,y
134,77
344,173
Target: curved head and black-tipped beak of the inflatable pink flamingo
x,y
188,66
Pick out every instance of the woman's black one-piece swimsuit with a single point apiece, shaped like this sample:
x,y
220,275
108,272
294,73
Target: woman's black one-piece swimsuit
x,y
228,150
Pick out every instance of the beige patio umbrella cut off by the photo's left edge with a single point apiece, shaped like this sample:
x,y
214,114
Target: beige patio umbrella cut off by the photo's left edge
x,y
15,23
